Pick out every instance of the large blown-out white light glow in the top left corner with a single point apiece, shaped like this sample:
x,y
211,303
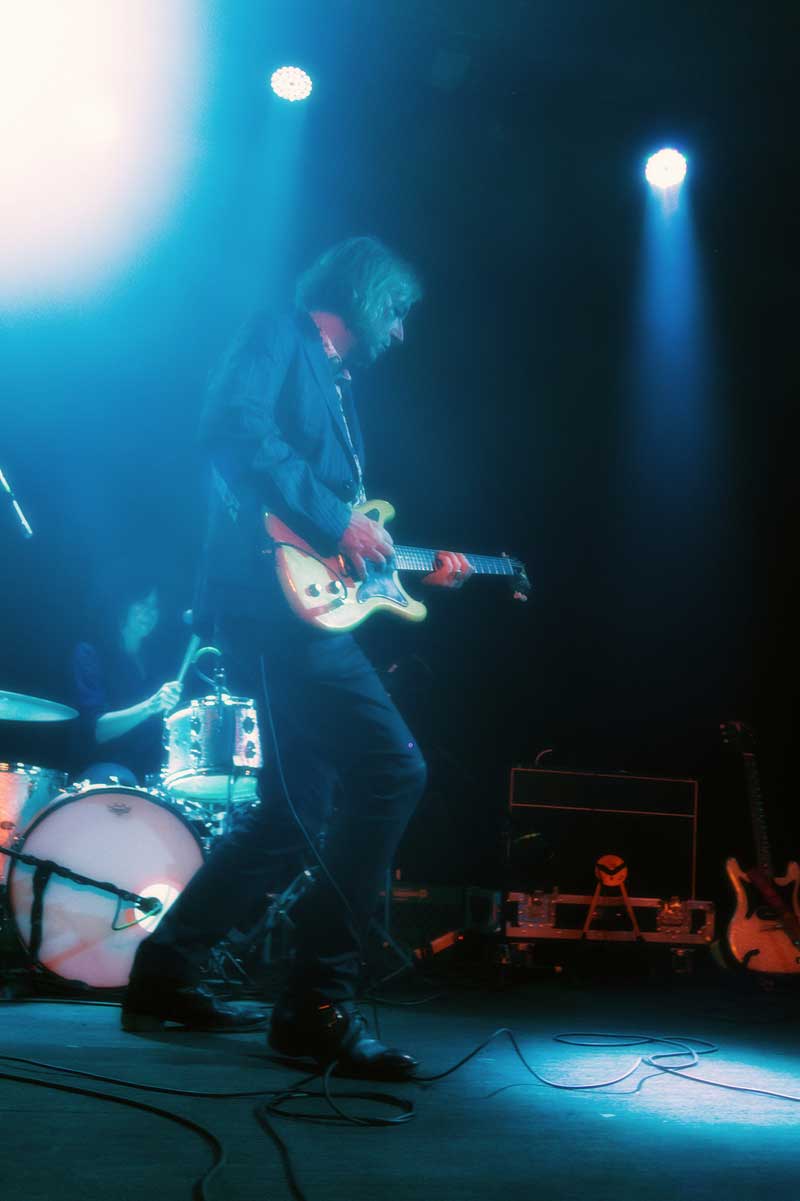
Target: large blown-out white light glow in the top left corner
x,y
98,111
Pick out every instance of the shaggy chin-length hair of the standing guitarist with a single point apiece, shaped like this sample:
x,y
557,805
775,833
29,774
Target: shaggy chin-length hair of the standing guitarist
x,y
359,279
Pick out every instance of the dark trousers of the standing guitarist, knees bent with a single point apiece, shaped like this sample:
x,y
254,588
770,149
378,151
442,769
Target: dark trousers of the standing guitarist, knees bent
x,y
347,754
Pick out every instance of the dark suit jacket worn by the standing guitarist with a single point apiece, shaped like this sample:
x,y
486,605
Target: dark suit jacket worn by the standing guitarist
x,y
277,439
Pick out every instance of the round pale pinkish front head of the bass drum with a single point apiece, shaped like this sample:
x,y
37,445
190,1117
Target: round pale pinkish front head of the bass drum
x,y
120,835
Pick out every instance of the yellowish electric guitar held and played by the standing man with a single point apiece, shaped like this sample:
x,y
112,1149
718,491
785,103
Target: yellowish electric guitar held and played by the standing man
x,y
323,593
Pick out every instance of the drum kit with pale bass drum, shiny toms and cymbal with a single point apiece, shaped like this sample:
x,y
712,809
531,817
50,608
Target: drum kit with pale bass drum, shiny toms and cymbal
x,y
87,871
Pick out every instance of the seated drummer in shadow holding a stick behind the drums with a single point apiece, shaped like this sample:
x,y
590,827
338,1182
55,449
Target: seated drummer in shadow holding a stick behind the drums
x,y
121,694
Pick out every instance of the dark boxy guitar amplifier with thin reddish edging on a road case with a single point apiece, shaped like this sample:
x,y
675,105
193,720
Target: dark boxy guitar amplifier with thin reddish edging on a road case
x,y
562,823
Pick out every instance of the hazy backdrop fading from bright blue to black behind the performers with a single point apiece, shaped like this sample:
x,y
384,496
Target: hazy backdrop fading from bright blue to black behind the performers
x,y
500,147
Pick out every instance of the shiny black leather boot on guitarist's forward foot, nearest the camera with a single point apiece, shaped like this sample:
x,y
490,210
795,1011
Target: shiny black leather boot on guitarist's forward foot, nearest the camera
x,y
336,1031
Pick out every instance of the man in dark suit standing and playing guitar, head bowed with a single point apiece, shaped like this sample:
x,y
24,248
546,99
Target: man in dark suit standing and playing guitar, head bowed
x,y
284,438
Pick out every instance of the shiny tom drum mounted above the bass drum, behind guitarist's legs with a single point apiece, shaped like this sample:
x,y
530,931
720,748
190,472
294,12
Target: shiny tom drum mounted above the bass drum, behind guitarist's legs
x,y
213,751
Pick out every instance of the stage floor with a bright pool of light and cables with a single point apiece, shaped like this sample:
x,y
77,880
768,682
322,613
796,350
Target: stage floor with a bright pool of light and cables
x,y
487,1131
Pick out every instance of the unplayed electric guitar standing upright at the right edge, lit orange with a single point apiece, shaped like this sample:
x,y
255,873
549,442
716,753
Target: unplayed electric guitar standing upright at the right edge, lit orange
x,y
765,931
